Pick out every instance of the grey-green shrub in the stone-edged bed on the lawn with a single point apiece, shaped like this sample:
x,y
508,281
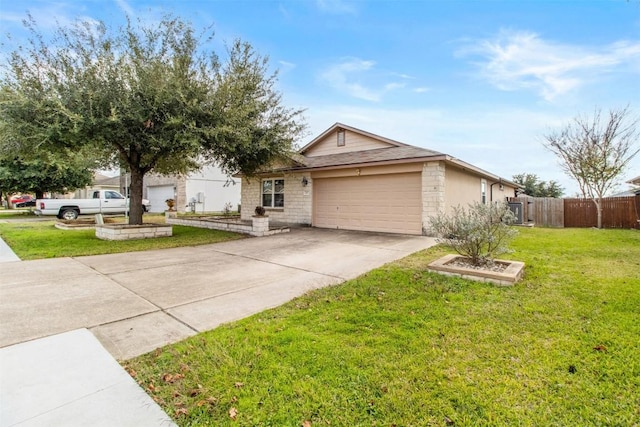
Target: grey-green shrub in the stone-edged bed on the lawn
x,y
480,232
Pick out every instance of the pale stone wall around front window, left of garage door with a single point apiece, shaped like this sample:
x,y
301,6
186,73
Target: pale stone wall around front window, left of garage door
x,y
297,200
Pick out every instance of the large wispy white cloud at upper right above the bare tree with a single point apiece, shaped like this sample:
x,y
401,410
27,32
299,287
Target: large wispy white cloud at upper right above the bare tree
x,y
522,60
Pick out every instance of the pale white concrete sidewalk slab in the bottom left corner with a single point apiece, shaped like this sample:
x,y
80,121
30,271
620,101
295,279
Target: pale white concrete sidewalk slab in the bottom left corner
x,y
70,380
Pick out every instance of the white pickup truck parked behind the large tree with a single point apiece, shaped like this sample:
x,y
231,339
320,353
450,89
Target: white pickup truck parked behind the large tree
x,y
103,201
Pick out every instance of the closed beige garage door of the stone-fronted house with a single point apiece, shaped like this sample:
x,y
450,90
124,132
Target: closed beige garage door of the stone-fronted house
x,y
387,203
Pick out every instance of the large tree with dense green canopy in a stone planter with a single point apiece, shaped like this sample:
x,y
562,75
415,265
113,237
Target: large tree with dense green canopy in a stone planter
x,y
146,98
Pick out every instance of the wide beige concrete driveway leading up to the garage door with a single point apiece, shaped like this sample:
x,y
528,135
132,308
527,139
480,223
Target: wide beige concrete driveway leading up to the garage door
x,y
136,302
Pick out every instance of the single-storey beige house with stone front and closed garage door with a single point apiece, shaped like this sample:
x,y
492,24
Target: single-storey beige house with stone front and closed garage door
x,y
350,179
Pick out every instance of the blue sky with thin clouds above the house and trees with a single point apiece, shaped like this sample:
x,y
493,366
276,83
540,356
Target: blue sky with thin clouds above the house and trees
x,y
483,81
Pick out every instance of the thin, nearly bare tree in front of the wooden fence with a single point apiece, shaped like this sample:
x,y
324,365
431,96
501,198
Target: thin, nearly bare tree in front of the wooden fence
x,y
595,150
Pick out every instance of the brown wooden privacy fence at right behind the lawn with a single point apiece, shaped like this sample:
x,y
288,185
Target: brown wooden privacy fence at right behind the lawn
x,y
617,212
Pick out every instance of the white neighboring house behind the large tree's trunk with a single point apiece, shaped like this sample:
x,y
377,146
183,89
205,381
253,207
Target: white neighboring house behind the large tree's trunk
x,y
209,190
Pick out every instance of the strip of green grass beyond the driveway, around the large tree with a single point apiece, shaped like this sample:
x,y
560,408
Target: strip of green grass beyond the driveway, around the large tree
x,y
35,240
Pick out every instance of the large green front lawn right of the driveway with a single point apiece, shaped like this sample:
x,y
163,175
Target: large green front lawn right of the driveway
x,y
401,346
